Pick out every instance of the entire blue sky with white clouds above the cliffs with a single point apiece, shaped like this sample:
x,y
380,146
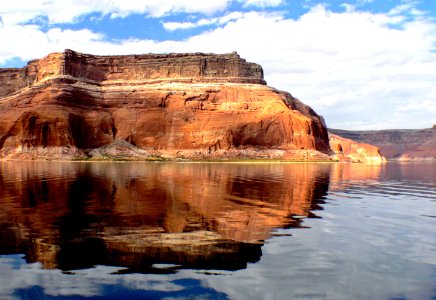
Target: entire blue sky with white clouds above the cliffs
x,y
362,64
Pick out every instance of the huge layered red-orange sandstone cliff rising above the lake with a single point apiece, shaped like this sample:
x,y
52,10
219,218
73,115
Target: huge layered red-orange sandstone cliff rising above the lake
x,y
175,105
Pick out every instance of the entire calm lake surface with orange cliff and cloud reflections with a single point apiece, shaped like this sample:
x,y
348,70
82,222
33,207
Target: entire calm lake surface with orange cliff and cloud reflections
x,y
138,230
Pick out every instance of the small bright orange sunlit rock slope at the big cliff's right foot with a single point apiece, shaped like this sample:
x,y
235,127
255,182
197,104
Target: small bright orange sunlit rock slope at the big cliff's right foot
x,y
349,150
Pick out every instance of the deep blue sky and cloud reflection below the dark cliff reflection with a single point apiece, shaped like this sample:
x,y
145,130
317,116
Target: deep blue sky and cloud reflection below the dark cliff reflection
x,y
31,280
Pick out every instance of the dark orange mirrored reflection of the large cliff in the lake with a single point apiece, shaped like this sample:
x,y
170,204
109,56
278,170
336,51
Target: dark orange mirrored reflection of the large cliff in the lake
x,y
137,215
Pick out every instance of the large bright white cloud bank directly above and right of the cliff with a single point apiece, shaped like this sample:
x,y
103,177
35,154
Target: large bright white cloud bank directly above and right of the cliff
x,y
355,68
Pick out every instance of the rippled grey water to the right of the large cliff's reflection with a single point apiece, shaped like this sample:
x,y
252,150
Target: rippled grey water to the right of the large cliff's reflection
x,y
371,242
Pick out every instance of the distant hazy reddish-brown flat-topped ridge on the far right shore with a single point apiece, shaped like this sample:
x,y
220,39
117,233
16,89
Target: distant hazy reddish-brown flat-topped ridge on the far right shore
x,y
398,144
